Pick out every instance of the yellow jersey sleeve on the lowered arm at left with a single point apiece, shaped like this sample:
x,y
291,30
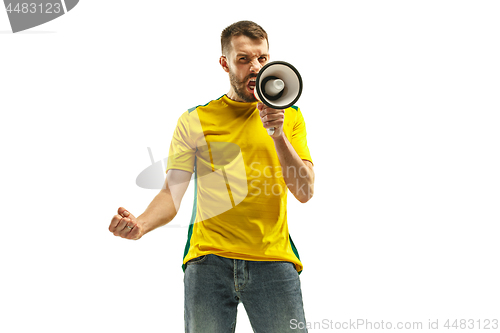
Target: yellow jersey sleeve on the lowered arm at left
x,y
182,150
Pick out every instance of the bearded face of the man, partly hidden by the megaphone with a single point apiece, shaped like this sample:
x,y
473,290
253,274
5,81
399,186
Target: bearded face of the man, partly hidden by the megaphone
x,y
245,59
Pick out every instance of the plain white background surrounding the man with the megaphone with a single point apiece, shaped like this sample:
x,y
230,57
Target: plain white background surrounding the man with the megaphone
x,y
401,102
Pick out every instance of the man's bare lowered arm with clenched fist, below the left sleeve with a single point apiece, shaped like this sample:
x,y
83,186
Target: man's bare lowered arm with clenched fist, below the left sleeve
x,y
160,211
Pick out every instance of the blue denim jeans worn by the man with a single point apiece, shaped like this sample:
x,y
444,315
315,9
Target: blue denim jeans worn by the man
x,y
214,286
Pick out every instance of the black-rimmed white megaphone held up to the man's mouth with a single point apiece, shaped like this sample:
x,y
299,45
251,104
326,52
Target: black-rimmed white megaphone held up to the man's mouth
x,y
278,85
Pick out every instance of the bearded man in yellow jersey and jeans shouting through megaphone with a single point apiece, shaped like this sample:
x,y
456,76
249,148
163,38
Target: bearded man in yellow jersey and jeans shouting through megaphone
x,y
238,249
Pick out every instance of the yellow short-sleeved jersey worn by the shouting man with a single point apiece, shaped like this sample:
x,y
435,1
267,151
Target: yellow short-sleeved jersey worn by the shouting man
x,y
239,209
